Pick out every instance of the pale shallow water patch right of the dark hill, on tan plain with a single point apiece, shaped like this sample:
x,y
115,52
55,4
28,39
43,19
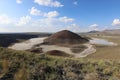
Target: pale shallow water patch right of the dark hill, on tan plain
x,y
102,42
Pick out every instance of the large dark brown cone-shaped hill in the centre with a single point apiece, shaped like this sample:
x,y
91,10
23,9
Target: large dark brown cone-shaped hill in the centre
x,y
65,37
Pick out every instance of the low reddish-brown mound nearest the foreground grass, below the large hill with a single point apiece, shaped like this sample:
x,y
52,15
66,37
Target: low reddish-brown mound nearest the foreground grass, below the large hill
x,y
58,53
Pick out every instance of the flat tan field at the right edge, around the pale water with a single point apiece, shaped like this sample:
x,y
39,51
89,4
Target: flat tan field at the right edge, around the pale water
x,y
107,52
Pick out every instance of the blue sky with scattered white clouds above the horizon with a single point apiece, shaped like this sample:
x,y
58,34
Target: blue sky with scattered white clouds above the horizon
x,y
56,15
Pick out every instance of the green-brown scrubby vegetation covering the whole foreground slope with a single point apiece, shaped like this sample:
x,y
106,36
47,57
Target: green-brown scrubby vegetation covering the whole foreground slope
x,y
29,66
